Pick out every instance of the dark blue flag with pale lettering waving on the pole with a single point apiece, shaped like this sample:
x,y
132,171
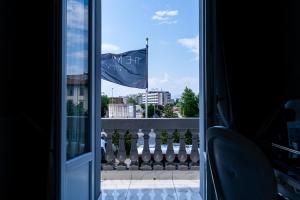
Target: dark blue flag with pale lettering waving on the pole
x,y
129,68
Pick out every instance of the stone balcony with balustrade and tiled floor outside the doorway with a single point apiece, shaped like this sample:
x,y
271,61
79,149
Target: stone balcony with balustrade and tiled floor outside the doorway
x,y
151,159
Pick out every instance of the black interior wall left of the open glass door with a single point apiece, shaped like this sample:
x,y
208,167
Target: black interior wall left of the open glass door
x,y
27,74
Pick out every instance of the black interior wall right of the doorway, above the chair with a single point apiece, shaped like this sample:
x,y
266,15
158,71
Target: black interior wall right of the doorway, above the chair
x,y
258,44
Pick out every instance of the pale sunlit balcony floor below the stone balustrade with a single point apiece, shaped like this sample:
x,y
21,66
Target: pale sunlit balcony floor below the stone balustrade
x,y
152,185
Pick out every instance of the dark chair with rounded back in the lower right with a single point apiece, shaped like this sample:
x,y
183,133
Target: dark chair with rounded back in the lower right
x,y
239,169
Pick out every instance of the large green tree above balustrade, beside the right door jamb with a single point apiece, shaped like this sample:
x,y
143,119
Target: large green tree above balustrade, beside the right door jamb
x,y
189,103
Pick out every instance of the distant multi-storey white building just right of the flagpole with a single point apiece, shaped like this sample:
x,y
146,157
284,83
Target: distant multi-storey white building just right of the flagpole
x,y
157,98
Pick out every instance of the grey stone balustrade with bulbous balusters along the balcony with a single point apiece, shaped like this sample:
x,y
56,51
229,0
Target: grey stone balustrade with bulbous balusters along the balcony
x,y
146,149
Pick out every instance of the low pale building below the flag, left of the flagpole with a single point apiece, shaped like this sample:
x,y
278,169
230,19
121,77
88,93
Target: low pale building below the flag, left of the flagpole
x,y
121,111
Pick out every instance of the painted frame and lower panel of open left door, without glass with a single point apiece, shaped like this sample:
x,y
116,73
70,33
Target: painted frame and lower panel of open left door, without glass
x,y
84,164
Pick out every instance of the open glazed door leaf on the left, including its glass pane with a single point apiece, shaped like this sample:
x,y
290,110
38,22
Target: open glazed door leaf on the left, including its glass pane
x,y
79,111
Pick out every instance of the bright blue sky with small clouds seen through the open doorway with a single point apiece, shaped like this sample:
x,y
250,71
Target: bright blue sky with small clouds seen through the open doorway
x,y
173,31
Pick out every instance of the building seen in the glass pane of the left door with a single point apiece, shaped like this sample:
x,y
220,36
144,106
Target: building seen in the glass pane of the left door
x,y
77,90
